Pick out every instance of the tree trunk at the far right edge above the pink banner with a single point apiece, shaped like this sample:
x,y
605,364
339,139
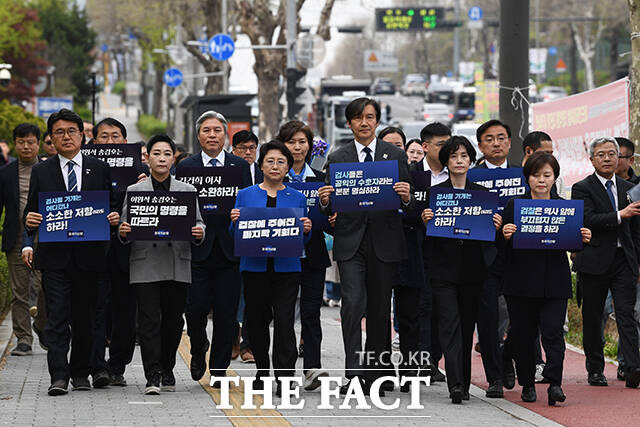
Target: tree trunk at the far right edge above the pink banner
x,y
634,119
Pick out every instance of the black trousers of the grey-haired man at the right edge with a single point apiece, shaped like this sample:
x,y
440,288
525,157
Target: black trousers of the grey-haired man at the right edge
x,y
622,282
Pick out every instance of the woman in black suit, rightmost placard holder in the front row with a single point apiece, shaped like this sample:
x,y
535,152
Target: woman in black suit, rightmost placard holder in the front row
x,y
537,285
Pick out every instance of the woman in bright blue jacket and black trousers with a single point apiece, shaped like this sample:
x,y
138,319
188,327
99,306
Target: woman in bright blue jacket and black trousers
x,y
271,283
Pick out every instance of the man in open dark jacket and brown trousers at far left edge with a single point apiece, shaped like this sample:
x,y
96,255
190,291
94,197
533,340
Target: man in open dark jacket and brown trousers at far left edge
x,y
14,189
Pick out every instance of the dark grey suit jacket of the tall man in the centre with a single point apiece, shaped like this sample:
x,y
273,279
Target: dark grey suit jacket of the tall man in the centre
x,y
385,226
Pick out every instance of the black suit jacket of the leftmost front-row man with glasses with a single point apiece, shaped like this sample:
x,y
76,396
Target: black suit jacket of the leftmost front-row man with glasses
x,y
47,176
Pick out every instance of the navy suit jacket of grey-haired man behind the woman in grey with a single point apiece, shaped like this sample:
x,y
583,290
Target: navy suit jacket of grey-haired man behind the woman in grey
x,y
217,225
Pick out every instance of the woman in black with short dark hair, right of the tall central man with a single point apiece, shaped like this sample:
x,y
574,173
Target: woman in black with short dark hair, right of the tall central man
x,y
457,271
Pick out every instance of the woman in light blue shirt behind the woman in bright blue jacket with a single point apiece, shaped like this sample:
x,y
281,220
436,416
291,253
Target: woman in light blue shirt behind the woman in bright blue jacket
x,y
298,138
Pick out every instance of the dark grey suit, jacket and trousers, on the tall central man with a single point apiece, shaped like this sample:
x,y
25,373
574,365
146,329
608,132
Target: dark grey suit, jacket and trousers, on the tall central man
x,y
367,247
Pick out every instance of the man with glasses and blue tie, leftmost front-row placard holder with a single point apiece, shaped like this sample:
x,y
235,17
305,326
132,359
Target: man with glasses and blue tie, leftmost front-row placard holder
x,y
70,271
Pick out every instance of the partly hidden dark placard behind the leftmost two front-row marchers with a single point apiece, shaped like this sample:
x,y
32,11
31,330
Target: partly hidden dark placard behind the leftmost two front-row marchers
x,y
125,162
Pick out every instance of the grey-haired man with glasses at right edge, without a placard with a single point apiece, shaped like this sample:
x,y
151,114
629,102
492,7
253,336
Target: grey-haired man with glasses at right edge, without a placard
x,y
610,261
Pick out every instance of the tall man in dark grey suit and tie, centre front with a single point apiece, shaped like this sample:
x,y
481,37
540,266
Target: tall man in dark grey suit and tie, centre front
x,y
367,247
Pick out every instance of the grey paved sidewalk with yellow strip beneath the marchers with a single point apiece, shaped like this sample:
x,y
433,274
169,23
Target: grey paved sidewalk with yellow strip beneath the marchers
x,y
24,400
